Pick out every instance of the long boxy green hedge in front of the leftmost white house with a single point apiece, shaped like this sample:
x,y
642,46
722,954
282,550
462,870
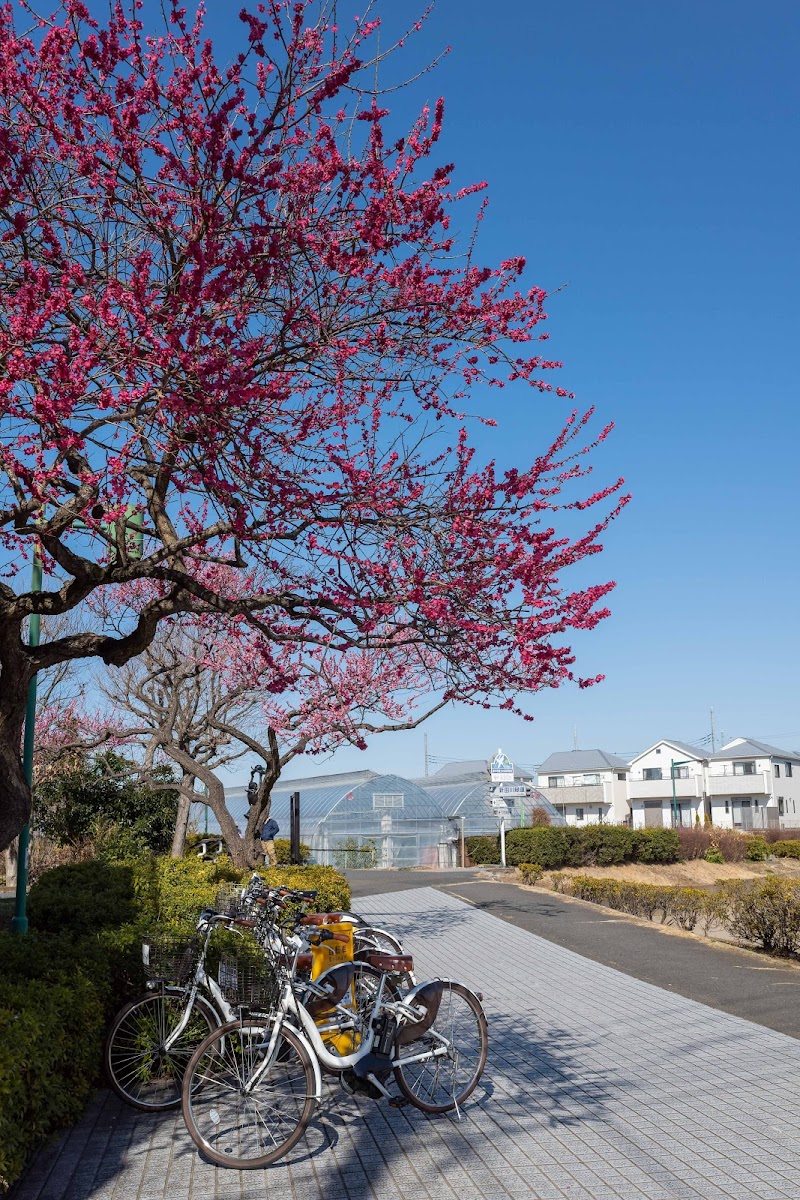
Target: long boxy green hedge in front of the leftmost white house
x,y
598,845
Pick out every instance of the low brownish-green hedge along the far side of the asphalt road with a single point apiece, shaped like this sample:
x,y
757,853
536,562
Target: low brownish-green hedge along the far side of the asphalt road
x,y
763,911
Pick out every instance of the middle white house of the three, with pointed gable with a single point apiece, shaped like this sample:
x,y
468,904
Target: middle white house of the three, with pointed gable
x,y
653,800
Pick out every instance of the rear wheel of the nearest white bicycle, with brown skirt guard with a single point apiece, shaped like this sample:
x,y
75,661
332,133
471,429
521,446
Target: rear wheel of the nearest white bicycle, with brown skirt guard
x,y
442,1084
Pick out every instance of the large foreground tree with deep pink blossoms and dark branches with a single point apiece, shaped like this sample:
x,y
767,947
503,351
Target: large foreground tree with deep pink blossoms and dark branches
x,y
236,329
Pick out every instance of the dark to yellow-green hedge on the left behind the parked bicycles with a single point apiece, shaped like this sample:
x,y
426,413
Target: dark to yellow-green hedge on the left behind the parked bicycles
x,y
63,982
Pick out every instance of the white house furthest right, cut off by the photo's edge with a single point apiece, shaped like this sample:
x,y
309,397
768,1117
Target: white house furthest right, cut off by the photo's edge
x,y
753,785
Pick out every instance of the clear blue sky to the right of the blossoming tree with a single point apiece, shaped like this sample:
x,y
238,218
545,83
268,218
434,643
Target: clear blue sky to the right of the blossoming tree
x,y
646,155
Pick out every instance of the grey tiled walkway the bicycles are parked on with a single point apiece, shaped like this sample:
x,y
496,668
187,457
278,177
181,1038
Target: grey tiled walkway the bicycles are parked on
x,y
599,1087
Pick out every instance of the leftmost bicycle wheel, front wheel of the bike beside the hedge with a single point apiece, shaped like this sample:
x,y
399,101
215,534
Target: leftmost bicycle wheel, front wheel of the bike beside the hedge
x,y
140,1069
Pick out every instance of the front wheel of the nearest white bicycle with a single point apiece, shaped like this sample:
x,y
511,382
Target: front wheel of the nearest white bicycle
x,y
240,1111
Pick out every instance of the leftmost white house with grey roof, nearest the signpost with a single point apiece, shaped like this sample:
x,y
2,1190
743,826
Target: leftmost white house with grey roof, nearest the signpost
x,y
586,787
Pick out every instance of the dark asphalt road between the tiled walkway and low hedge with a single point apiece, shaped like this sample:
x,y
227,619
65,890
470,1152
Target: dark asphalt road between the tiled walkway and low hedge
x,y
747,985
